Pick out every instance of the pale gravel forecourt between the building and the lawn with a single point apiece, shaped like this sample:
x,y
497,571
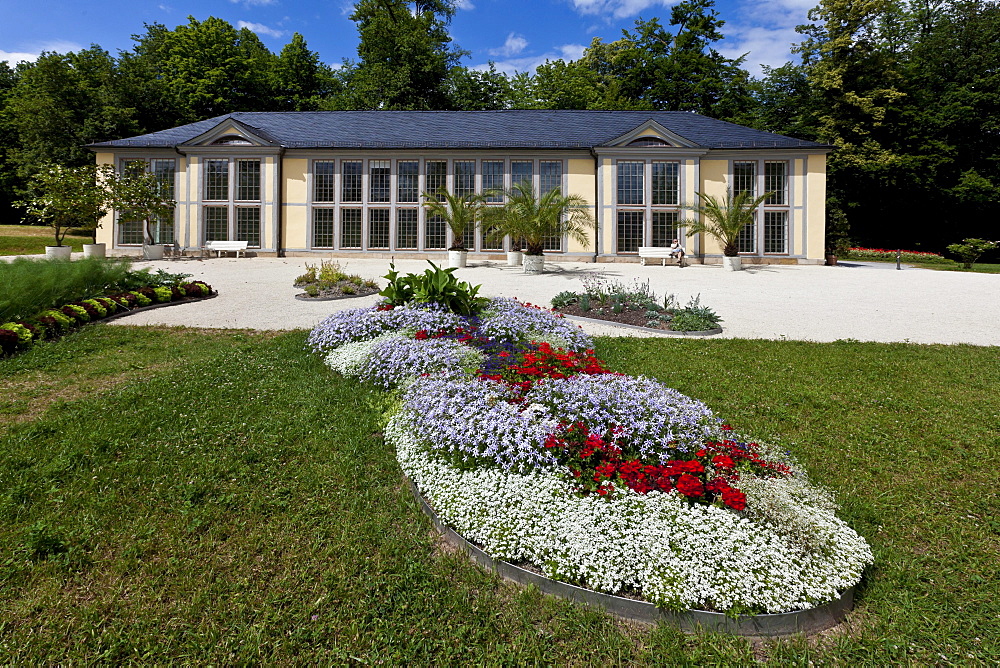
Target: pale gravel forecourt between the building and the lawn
x,y
867,302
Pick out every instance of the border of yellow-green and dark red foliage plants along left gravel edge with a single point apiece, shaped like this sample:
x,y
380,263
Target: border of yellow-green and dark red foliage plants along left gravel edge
x,y
50,324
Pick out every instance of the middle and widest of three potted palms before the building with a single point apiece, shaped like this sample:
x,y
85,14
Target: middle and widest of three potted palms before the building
x,y
527,216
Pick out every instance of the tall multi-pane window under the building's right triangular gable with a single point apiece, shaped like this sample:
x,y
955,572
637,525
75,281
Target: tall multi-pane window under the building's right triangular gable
x,y
647,201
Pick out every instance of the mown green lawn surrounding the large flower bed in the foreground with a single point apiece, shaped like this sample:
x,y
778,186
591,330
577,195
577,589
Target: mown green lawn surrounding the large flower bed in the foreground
x,y
178,495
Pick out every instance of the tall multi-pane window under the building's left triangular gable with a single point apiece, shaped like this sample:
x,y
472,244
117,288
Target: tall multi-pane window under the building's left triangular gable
x,y
232,200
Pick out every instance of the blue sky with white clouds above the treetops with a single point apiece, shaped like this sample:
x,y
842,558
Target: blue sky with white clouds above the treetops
x,y
516,34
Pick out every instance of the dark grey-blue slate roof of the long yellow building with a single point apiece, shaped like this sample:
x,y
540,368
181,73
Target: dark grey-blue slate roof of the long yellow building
x,y
535,129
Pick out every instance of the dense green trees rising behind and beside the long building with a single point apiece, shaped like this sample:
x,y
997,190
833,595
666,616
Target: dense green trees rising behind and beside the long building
x,y
908,91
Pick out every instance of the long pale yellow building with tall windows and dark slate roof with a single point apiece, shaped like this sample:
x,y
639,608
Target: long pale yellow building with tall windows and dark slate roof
x,y
349,183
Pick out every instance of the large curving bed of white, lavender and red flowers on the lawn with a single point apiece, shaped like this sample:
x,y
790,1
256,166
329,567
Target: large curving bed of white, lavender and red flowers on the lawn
x,y
525,444
